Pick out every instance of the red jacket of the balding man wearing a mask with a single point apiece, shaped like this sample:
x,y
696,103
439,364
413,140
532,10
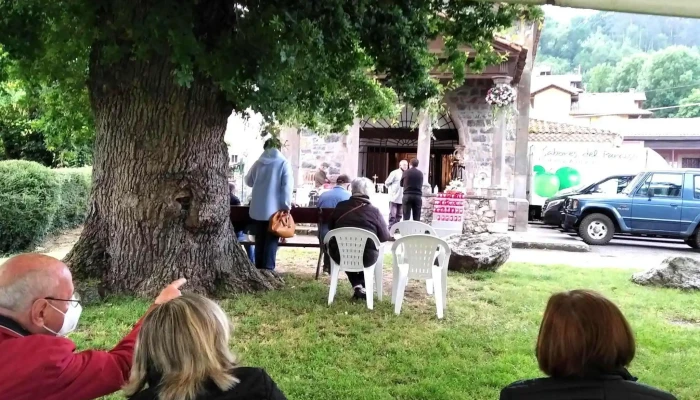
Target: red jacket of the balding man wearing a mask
x,y
45,367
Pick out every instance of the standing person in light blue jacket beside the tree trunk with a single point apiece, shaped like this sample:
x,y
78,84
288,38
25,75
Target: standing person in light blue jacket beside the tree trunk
x,y
272,183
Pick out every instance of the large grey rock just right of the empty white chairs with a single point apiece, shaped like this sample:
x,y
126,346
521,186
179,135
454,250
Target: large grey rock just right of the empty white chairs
x,y
479,252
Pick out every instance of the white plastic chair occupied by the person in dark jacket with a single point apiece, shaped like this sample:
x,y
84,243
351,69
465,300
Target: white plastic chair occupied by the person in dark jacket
x,y
351,246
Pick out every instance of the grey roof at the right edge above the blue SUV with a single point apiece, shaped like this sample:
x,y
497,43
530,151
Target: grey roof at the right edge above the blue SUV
x,y
662,128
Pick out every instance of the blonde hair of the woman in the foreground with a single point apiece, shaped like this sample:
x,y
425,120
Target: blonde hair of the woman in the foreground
x,y
186,342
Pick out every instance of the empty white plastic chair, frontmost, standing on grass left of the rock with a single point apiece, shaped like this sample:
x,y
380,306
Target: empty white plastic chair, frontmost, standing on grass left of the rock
x,y
416,261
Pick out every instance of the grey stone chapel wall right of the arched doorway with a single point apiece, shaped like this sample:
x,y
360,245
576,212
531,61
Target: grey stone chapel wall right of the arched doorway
x,y
468,105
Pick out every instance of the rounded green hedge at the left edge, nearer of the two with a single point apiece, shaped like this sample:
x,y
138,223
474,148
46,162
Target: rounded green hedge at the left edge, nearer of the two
x,y
29,194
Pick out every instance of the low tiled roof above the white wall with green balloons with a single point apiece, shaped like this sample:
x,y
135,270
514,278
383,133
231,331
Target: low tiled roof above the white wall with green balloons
x,y
547,131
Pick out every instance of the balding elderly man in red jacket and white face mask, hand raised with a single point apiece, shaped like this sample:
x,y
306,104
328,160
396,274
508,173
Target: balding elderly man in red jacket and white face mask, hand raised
x,y
38,308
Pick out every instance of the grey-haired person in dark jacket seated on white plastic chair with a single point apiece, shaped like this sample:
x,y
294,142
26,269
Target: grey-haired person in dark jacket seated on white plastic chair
x,y
358,212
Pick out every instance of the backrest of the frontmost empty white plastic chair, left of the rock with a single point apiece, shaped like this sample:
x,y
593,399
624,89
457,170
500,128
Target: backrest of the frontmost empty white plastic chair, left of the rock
x,y
419,252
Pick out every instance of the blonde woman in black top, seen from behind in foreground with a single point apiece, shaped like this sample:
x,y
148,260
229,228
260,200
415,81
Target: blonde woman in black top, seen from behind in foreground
x,y
182,353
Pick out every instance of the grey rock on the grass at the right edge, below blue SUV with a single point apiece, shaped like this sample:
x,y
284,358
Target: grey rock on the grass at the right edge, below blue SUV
x,y
674,272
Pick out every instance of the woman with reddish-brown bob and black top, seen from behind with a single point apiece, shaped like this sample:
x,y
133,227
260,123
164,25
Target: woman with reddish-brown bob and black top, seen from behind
x,y
585,346
